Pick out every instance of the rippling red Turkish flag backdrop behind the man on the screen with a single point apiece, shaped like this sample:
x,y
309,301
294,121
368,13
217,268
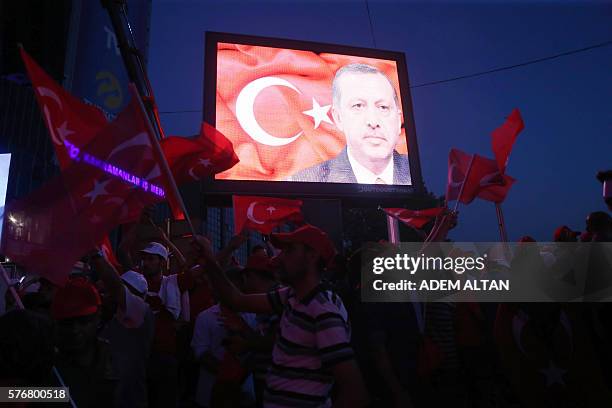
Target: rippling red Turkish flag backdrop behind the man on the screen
x,y
275,107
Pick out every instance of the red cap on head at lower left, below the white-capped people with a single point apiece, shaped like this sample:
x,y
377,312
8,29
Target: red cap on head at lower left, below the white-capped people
x,y
78,298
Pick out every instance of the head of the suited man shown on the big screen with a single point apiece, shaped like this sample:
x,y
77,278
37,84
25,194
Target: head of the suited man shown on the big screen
x,y
368,116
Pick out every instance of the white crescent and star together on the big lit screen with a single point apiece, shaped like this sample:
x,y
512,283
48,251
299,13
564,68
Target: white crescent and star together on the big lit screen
x,y
245,112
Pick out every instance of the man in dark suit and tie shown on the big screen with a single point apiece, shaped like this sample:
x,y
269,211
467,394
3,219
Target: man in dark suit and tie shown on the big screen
x,y
366,109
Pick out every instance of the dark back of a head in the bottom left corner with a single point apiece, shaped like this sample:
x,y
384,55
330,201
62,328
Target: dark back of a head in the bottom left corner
x,y
27,348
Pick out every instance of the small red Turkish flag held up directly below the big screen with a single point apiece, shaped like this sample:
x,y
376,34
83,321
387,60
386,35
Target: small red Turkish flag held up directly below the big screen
x,y
263,214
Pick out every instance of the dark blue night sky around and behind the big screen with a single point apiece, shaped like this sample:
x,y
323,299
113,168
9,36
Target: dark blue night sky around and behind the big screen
x,y
566,103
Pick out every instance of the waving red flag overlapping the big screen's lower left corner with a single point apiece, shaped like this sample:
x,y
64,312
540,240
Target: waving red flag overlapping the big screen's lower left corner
x,y
195,158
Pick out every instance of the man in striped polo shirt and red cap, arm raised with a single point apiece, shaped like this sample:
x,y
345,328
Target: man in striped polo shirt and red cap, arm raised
x,y
312,351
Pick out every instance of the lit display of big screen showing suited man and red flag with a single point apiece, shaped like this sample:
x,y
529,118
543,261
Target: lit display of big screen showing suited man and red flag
x,y
280,111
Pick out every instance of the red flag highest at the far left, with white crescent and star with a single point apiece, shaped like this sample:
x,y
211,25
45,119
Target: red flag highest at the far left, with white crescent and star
x,y
68,119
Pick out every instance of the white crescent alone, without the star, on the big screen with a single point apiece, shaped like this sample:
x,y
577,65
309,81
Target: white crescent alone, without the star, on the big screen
x,y
246,115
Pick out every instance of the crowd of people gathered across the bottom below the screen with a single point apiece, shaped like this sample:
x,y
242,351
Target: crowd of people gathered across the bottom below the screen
x,y
289,329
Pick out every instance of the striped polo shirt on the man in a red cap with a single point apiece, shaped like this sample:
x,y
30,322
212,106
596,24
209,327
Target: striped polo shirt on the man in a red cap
x,y
313,336
